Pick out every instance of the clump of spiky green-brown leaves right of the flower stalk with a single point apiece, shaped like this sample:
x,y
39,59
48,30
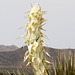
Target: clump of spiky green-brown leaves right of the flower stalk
x,y
64,67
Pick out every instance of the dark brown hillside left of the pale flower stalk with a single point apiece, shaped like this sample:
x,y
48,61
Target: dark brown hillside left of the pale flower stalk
x,y
12,58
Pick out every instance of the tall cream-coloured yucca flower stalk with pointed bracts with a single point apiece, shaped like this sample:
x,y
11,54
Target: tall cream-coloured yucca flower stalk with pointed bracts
x,y
34,42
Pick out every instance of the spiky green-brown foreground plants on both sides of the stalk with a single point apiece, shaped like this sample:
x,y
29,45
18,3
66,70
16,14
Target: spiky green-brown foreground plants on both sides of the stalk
x,y
63,66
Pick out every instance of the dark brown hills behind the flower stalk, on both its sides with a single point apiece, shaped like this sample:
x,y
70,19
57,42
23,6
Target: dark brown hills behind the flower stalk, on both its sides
x,y
14,59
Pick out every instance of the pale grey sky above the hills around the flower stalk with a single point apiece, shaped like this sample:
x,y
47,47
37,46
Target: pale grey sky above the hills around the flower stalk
x,y
60,24
